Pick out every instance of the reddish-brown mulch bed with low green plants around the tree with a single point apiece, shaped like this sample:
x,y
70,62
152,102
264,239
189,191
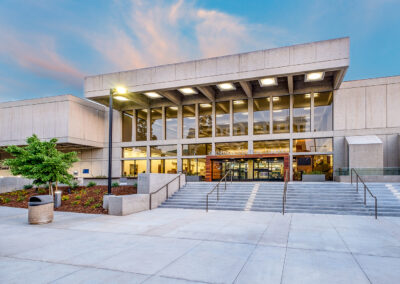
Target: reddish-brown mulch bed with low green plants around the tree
x,y
81,199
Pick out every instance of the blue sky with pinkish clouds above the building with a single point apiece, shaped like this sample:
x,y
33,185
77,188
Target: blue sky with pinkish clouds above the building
x,y
47,47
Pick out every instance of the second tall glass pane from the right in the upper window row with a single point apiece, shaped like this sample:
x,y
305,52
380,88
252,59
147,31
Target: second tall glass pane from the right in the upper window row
x,y
302,113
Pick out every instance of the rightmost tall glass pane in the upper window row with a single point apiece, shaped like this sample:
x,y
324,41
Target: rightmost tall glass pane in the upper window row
x,y
323,111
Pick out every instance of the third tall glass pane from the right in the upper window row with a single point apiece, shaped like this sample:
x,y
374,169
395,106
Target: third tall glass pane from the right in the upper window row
x,y
281,114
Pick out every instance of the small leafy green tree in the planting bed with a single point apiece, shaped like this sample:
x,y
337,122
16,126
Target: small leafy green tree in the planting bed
x,y
41,161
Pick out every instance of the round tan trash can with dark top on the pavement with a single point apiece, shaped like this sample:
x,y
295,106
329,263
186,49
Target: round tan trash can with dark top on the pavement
x,y
40,209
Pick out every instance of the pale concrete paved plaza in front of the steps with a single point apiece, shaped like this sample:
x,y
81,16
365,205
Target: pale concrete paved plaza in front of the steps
x,y
185,246
